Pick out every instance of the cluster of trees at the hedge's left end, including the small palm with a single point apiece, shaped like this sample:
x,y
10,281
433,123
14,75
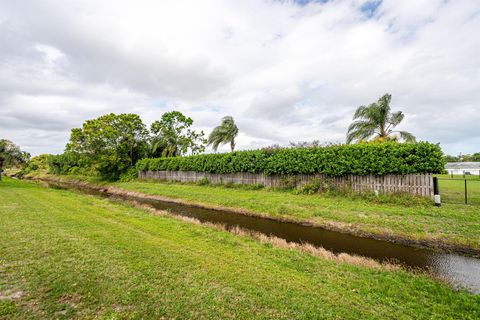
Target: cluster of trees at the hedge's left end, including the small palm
x,y
111,145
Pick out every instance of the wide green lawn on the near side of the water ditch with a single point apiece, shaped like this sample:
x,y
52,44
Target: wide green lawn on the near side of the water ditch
x,y
68,255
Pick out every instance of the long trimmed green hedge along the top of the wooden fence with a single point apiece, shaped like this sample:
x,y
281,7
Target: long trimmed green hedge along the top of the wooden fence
x,y
359,159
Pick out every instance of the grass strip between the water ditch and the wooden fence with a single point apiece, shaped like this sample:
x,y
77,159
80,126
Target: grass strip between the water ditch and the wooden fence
x,y
452,223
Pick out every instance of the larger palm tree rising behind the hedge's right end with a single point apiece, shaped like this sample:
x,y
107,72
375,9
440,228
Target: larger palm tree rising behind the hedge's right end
x,y
377,121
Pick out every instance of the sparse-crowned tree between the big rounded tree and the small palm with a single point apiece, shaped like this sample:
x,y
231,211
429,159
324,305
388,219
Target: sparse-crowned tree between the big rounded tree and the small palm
x,y
172,136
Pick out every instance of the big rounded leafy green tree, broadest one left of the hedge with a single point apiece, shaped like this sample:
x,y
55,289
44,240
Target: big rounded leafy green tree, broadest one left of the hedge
x,y
111,143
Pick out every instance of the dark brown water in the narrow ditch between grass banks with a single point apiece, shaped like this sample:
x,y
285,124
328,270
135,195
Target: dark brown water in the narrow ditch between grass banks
x,y
461,271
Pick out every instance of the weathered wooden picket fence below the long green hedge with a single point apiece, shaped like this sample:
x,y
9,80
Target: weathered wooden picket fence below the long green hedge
x,y
417,184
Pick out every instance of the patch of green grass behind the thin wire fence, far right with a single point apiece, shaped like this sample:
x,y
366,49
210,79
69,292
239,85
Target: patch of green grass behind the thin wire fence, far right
x,y
453,191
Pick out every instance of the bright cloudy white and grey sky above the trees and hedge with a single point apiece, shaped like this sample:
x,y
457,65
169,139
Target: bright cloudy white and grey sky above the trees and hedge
x,y
285,70
